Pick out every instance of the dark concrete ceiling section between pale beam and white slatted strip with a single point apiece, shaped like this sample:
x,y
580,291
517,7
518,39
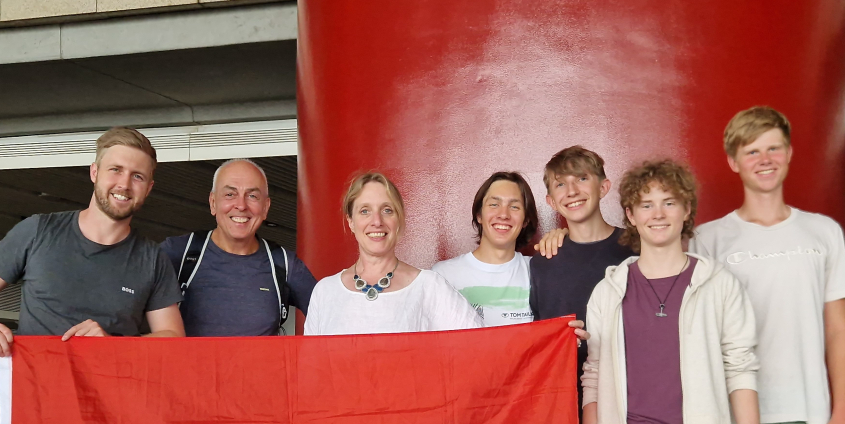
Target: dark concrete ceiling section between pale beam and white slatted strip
x,y
164,88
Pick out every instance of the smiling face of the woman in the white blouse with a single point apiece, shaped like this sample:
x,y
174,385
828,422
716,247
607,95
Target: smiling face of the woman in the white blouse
x,y
374,221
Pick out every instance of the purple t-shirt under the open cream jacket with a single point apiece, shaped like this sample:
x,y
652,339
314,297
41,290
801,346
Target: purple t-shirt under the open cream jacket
x,y
652,348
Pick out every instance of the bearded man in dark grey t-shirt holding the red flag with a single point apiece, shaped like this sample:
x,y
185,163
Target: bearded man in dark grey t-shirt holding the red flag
x,y
86,273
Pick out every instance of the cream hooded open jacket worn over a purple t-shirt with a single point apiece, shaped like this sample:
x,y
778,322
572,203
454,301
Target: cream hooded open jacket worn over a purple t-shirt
x,y
717,340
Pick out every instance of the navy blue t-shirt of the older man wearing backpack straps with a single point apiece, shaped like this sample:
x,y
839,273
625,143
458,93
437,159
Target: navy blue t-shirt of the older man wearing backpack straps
x,y
234,295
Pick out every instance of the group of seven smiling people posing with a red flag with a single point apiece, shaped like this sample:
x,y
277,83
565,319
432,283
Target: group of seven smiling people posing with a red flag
x,y
747,325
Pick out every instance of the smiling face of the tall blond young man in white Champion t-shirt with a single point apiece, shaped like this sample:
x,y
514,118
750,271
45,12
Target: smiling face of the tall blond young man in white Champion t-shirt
x,y
763,164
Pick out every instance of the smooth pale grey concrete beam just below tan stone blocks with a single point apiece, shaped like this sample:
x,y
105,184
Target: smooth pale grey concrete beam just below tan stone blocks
x,y
208,27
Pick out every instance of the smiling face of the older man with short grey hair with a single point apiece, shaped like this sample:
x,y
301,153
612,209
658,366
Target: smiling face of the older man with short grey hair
x,y
240,201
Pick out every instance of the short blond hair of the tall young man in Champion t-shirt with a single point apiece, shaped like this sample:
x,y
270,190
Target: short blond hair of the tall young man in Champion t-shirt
x,y
751,123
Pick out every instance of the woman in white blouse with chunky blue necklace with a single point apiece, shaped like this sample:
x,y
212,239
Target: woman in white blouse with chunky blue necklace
x,y
379,293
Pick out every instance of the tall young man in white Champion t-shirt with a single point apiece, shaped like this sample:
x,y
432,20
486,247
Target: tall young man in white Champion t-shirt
x,y
792,263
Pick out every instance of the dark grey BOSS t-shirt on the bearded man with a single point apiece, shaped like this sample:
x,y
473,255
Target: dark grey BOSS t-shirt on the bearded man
x,y
68,279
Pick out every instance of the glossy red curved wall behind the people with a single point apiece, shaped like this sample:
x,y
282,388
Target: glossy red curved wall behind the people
x,y
438,94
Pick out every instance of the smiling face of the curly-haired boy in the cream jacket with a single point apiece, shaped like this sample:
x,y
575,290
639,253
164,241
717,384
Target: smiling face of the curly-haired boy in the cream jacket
x,y
659,217
